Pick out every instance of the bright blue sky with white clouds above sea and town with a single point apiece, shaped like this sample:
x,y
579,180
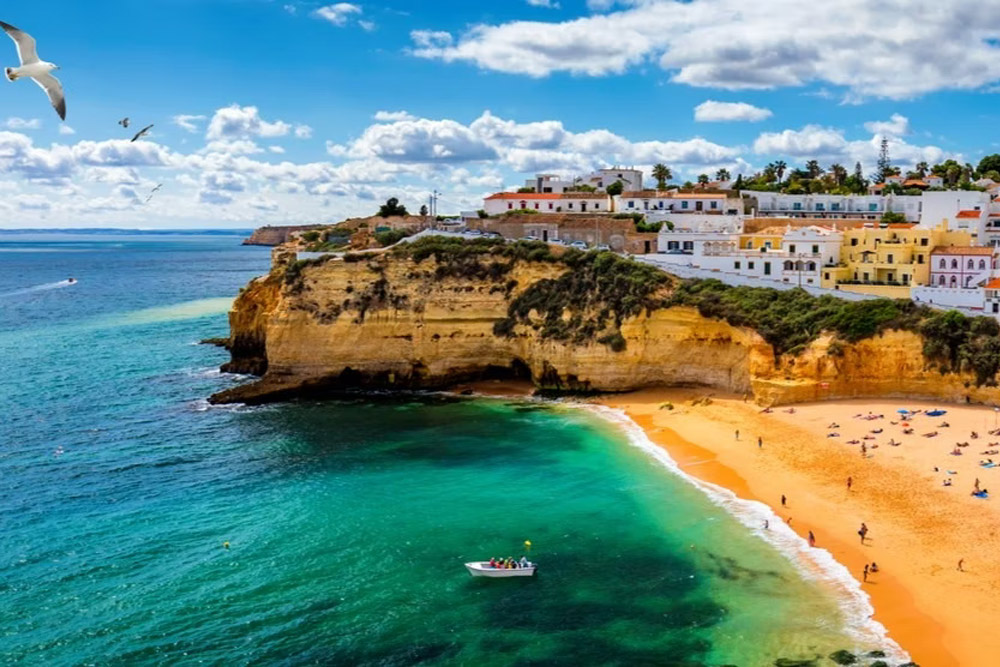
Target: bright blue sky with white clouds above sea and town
x,y
294,112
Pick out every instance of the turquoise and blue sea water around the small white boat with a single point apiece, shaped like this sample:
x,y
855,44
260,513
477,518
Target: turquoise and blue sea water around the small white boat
x,y
348,522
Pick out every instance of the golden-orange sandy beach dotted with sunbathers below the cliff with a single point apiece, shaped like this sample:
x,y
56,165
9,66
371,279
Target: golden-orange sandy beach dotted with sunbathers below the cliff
x,y
919,528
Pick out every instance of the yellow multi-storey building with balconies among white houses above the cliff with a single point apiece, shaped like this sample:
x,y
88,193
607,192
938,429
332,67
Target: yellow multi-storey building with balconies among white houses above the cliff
x,y
887,260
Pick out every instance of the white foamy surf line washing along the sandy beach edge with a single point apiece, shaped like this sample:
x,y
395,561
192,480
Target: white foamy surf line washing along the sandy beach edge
x,y
813,563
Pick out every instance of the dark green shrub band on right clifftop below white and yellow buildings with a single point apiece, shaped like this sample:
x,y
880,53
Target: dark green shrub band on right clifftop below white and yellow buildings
x,y
791,319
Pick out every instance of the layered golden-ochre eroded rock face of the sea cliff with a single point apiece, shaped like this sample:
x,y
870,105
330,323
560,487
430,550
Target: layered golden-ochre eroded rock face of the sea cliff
x,y
394,323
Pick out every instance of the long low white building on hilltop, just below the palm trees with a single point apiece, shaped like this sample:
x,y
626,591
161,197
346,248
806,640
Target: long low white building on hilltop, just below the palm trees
x,y
864,207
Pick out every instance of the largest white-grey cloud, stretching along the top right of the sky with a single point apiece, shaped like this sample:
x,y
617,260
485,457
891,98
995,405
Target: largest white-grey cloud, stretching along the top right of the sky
x,y
734,45
